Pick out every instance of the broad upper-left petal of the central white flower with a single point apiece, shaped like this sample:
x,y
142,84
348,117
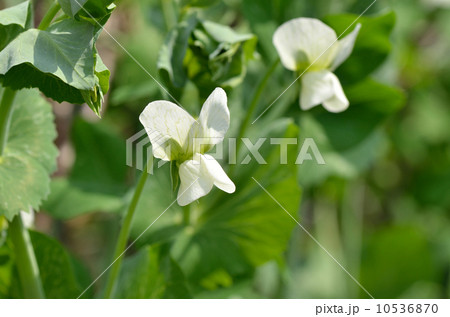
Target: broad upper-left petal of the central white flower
x,y
167,124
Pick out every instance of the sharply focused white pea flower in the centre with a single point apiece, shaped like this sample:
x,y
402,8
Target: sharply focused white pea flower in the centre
x,y
176,136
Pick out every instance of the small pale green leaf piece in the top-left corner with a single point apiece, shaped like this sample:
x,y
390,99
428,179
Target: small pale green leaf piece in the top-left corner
x,y
14,20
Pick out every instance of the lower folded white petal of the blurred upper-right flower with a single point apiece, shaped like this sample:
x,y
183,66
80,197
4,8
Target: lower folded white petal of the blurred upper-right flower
x,y
322,88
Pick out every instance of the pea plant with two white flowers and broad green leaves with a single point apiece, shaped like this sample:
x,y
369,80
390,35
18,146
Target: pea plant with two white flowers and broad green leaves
x,y
284,108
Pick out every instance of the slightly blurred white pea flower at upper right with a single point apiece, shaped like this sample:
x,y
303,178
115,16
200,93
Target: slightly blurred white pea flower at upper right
x,y
306,42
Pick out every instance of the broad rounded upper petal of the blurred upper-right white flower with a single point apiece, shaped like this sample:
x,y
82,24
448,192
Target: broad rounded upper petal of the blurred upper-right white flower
x,y
303,41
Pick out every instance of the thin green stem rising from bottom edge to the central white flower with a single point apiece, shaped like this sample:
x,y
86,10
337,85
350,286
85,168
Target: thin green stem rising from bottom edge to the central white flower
x,y
123,235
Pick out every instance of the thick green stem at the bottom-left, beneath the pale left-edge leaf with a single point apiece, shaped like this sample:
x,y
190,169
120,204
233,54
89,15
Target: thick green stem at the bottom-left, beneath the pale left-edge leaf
x,y
25,259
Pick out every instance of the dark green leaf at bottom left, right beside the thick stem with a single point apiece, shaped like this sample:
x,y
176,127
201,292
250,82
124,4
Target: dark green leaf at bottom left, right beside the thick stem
x,y
56,267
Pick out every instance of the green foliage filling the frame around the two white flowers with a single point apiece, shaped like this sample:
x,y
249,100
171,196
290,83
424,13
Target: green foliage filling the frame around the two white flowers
x,y
379,205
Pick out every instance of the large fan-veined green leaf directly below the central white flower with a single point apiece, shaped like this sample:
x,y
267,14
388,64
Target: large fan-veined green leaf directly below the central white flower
x,y
247,230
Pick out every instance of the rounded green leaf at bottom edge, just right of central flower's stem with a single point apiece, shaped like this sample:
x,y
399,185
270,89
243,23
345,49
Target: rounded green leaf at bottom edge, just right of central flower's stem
x,y
150,274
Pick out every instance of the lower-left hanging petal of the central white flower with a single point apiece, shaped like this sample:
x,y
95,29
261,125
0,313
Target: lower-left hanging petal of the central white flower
x,y
194,182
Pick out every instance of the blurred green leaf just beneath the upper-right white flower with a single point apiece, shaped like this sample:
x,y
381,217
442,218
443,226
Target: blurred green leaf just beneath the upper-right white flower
x,y
349,141
